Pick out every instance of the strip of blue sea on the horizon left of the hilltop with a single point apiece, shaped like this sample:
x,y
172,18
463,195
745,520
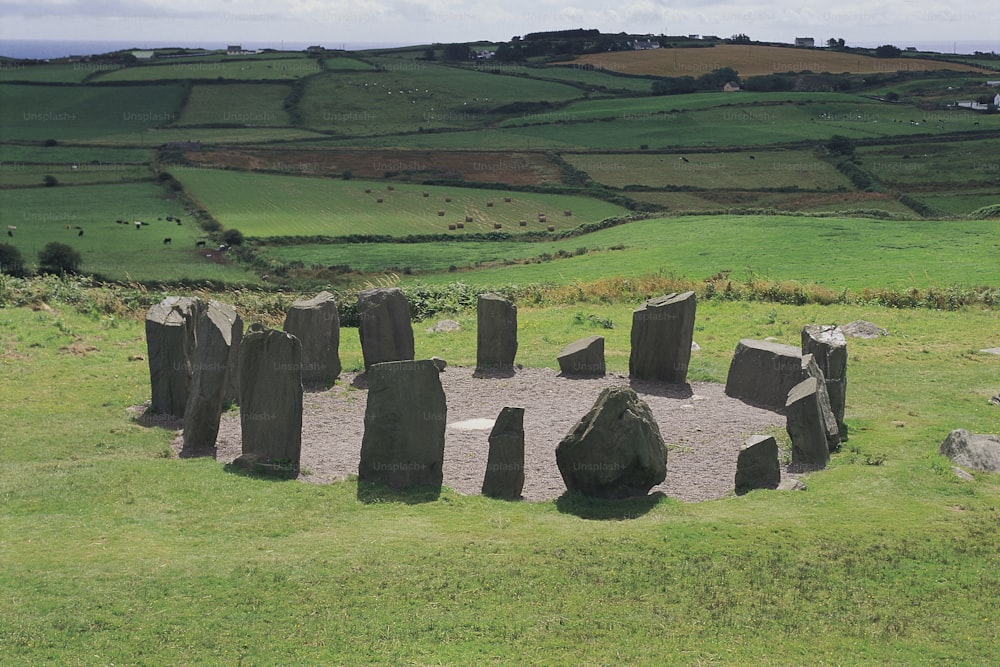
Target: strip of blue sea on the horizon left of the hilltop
x,y
41,49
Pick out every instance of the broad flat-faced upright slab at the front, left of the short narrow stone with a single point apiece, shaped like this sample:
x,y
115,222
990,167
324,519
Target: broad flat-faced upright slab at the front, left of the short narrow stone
x,y
405,419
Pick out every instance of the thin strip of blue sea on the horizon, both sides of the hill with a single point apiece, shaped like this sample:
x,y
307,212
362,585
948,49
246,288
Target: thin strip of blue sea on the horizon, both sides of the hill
x,y
44,49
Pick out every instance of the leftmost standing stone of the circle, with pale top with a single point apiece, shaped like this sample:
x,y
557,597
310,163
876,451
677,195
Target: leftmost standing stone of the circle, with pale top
x,y
169,345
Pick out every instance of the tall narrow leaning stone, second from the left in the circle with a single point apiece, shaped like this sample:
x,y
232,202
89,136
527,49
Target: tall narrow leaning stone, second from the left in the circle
x,y
213,328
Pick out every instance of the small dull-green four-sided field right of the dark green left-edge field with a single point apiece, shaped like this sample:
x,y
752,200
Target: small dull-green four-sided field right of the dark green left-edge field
x,y
236,104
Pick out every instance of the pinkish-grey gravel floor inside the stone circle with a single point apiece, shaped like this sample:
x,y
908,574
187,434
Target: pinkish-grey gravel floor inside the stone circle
x,y
703,428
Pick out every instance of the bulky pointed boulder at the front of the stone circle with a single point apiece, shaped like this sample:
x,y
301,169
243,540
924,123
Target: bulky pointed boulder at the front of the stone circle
x,y
616,450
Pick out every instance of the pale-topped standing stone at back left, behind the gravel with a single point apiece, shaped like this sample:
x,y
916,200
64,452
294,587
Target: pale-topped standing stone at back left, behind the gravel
x,y
316,324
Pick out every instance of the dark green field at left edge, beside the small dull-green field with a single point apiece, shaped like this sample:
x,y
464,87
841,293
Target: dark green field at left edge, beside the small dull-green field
x,y
79,113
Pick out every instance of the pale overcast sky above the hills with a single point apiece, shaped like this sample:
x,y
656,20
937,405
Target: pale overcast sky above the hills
x,y
336,22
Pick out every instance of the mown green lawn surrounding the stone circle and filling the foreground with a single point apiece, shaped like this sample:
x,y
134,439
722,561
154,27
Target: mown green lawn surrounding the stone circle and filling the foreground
x,y
115,552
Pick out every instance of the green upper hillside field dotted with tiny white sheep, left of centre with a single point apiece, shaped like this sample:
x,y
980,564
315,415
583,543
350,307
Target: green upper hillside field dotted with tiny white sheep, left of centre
x,y
414,95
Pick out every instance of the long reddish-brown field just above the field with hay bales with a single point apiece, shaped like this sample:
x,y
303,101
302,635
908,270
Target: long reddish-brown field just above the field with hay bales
x,y
474,166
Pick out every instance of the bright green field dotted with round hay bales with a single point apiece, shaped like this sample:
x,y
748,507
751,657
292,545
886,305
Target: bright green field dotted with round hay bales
x,y
270,205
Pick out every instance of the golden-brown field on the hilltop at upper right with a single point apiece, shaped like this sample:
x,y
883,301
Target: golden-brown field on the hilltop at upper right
x,y
754,60
